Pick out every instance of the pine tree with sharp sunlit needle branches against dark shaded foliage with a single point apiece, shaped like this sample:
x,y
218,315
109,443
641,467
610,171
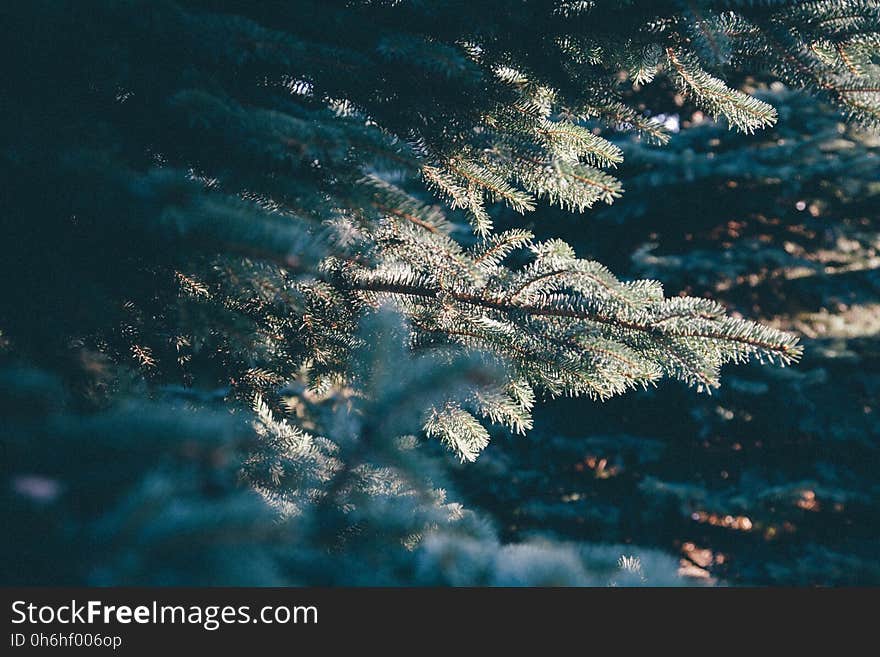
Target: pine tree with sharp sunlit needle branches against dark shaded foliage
x,y
208,200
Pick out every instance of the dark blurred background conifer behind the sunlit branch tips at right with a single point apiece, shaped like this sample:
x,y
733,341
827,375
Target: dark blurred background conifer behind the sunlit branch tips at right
x,y
772,480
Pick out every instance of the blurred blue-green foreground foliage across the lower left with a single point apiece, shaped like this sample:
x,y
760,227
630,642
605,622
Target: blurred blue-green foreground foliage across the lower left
x,y
149,493
